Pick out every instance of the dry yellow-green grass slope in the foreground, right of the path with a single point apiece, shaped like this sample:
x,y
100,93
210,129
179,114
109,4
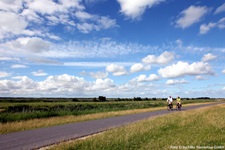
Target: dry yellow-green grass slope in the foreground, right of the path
x,y
202,128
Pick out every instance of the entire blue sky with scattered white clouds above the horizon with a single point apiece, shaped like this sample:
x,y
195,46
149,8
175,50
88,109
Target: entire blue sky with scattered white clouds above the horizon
x,y
114,48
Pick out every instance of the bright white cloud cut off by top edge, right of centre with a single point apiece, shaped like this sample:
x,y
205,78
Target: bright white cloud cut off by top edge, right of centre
x,y
134,9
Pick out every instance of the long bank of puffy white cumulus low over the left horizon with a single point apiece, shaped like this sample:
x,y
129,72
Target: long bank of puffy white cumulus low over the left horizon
x,y
62,85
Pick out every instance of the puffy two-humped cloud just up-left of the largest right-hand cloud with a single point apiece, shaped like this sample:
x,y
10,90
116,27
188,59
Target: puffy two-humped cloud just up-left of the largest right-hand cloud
x,y
164,58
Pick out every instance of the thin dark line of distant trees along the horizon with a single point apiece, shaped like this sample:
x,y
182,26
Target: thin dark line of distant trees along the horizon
x,y
95,99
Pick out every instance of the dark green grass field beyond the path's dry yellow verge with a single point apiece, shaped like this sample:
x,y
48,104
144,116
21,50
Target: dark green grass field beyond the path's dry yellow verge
x,y
11,112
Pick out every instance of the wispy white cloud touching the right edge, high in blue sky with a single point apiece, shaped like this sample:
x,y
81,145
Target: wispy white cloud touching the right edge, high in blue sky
x,y
205,28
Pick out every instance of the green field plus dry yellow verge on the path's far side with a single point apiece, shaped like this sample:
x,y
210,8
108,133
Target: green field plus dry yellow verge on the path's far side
x,y
24,116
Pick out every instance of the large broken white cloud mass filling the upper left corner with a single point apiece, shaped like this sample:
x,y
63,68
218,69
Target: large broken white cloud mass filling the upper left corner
x,y
22,15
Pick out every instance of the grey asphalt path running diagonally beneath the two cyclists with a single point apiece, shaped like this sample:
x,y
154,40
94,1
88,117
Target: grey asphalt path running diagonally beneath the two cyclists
x,y
37,138
